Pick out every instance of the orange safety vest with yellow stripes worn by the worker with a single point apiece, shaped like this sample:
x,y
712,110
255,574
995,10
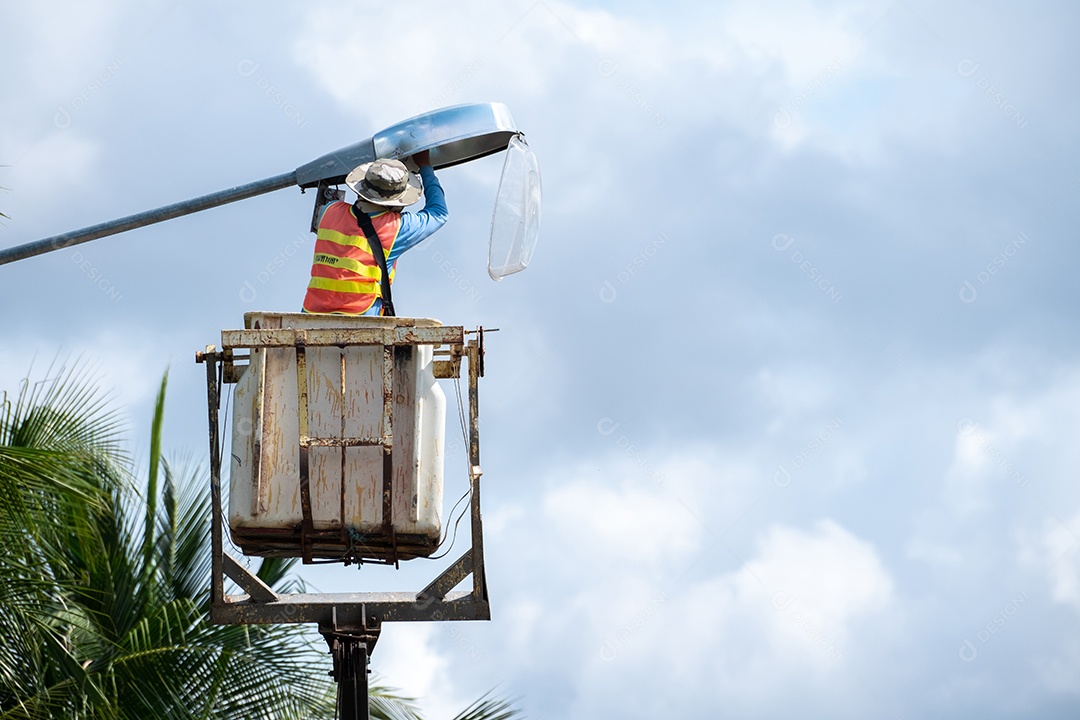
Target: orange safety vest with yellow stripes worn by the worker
x,y
345,276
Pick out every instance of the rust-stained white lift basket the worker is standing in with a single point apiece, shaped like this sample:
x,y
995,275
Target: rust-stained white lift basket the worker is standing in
x,y
337,450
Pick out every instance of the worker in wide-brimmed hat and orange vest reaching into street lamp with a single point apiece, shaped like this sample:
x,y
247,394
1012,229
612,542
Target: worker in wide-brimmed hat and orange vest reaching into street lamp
x,y
346,276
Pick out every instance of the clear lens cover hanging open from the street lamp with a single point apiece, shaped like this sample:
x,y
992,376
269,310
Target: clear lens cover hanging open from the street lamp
x,y
516,223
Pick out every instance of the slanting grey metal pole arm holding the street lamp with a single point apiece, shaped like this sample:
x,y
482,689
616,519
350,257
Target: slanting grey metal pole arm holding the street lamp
x,y
150,218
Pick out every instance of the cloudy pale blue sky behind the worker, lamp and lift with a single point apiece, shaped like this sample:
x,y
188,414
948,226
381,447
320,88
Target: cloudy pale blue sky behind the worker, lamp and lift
x,y
780,422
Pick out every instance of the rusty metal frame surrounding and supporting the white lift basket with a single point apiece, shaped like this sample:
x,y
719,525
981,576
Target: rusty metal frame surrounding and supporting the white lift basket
x,y
347,615
